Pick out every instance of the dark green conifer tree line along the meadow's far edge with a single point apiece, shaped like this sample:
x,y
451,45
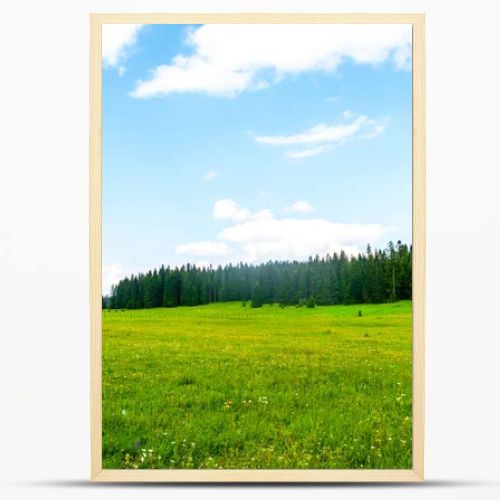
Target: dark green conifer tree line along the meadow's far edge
x,y
371,277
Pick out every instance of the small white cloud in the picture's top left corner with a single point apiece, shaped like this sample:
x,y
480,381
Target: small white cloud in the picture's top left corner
x,y
117,39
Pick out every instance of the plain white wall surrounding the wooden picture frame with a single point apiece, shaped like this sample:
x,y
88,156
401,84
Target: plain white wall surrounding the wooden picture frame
x,y
44,362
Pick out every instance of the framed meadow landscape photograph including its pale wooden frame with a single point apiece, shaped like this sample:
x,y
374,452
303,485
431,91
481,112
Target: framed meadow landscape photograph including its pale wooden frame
x,y
257,247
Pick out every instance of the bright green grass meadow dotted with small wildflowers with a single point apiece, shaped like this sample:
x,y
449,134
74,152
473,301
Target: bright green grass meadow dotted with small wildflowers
x,y
226,386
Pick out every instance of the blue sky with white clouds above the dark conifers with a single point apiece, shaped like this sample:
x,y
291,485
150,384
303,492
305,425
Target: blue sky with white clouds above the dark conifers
x,y
249,143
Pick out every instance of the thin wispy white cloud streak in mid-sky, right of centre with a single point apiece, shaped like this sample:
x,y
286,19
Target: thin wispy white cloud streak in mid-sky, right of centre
x,y
322,137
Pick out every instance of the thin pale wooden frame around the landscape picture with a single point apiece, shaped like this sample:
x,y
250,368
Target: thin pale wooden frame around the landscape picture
x,y
95,260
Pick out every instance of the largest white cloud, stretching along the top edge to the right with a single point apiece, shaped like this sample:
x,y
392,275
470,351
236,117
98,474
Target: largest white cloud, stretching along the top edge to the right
x,y
230,58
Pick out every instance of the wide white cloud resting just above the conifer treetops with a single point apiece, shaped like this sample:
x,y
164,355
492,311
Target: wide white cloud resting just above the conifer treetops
x,y
298,239
